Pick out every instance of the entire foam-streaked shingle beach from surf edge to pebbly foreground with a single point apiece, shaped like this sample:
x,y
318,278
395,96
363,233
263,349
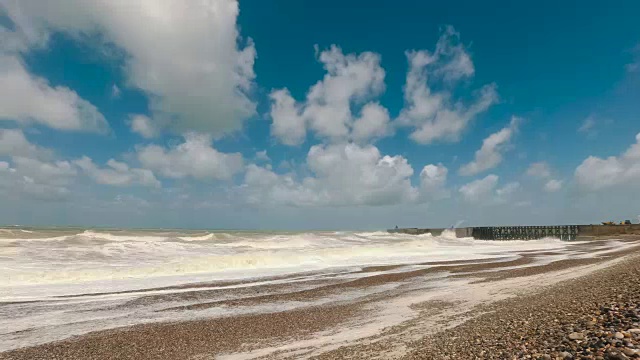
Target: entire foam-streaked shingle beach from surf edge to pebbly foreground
x,y
524,305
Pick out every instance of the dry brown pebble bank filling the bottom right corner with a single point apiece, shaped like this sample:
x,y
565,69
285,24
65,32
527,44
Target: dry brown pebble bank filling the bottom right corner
x,y
543,325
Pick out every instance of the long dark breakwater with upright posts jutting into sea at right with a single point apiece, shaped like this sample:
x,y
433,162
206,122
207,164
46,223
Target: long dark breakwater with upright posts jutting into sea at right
x,y
564,232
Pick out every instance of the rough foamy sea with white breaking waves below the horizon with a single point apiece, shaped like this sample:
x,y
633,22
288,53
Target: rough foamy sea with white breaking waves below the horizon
x,y
46,263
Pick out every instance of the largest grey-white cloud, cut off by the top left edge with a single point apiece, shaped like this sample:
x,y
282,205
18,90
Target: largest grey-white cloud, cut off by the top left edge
x,y
183,54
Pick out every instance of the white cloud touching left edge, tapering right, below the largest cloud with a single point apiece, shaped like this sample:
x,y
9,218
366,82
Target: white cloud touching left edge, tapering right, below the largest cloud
x,y
25,98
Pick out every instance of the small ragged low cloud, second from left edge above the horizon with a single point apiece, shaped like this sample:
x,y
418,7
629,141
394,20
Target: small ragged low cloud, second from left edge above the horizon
x,y
117,173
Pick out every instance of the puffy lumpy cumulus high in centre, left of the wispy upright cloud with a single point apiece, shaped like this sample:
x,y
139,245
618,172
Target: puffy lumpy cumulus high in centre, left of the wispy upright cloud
x,y
351,80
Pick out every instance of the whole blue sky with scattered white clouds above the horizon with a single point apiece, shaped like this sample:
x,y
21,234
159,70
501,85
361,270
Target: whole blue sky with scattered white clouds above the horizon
x,y
295,115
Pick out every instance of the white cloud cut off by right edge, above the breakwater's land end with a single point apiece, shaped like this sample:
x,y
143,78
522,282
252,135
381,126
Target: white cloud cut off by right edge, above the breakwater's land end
x,y
596,173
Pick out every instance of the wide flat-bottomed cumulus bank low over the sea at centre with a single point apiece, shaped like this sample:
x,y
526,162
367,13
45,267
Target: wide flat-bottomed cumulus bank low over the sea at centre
x,y
345,175
